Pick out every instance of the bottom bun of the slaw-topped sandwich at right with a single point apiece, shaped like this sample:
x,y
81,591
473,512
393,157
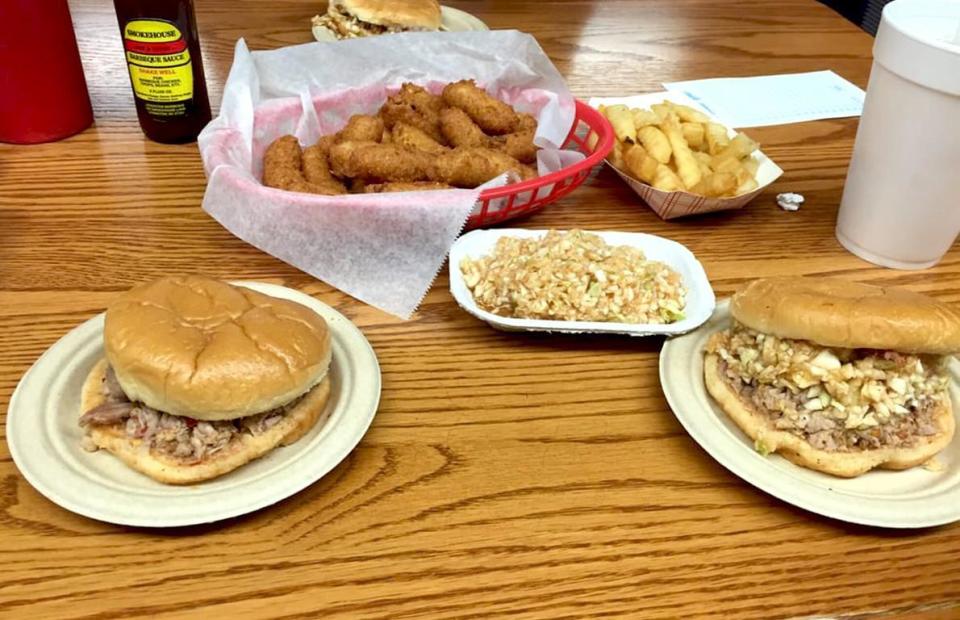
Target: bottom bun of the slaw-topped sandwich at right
x,y
843,464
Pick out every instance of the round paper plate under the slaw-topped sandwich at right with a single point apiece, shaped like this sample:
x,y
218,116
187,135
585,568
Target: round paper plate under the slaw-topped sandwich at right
x,y
899,499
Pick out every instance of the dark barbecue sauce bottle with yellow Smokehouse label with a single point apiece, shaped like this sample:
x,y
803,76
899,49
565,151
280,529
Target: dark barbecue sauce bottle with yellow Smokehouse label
x,y
166,71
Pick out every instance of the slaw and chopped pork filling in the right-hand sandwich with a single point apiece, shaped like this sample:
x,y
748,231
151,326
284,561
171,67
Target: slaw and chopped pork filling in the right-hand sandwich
x,y
839,400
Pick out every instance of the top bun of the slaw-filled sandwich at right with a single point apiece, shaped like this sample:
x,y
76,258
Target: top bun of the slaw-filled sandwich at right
x,y
838,313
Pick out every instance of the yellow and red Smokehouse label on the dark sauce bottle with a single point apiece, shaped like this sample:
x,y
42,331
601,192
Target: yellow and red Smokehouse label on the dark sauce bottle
x,y
161,71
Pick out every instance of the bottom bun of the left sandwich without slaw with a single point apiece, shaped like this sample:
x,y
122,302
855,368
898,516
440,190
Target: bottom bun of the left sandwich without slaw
x,y
294,425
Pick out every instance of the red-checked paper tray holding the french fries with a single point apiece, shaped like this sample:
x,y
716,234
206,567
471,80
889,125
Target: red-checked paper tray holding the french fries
x,y
670,205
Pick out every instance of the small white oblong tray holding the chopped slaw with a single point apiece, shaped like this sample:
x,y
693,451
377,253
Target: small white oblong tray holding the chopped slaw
x,y
700,298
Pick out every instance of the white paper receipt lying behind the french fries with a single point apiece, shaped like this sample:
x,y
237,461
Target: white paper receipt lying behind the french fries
x,y
775,99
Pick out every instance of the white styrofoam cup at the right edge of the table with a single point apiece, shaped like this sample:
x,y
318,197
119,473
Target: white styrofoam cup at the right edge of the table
x,y
901,202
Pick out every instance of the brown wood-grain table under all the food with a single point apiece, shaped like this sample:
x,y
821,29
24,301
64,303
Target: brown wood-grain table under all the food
x,y
527,476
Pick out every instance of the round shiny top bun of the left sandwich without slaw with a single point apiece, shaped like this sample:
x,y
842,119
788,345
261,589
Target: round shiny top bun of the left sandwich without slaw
x,y
196,347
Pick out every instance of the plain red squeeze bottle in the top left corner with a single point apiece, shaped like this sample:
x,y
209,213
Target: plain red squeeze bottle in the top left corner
x,y
43,95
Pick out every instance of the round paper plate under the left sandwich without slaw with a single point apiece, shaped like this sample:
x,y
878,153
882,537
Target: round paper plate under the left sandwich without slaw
x,y
44,437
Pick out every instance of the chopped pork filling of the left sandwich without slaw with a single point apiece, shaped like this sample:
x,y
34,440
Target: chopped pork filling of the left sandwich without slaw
x,y
185,439
